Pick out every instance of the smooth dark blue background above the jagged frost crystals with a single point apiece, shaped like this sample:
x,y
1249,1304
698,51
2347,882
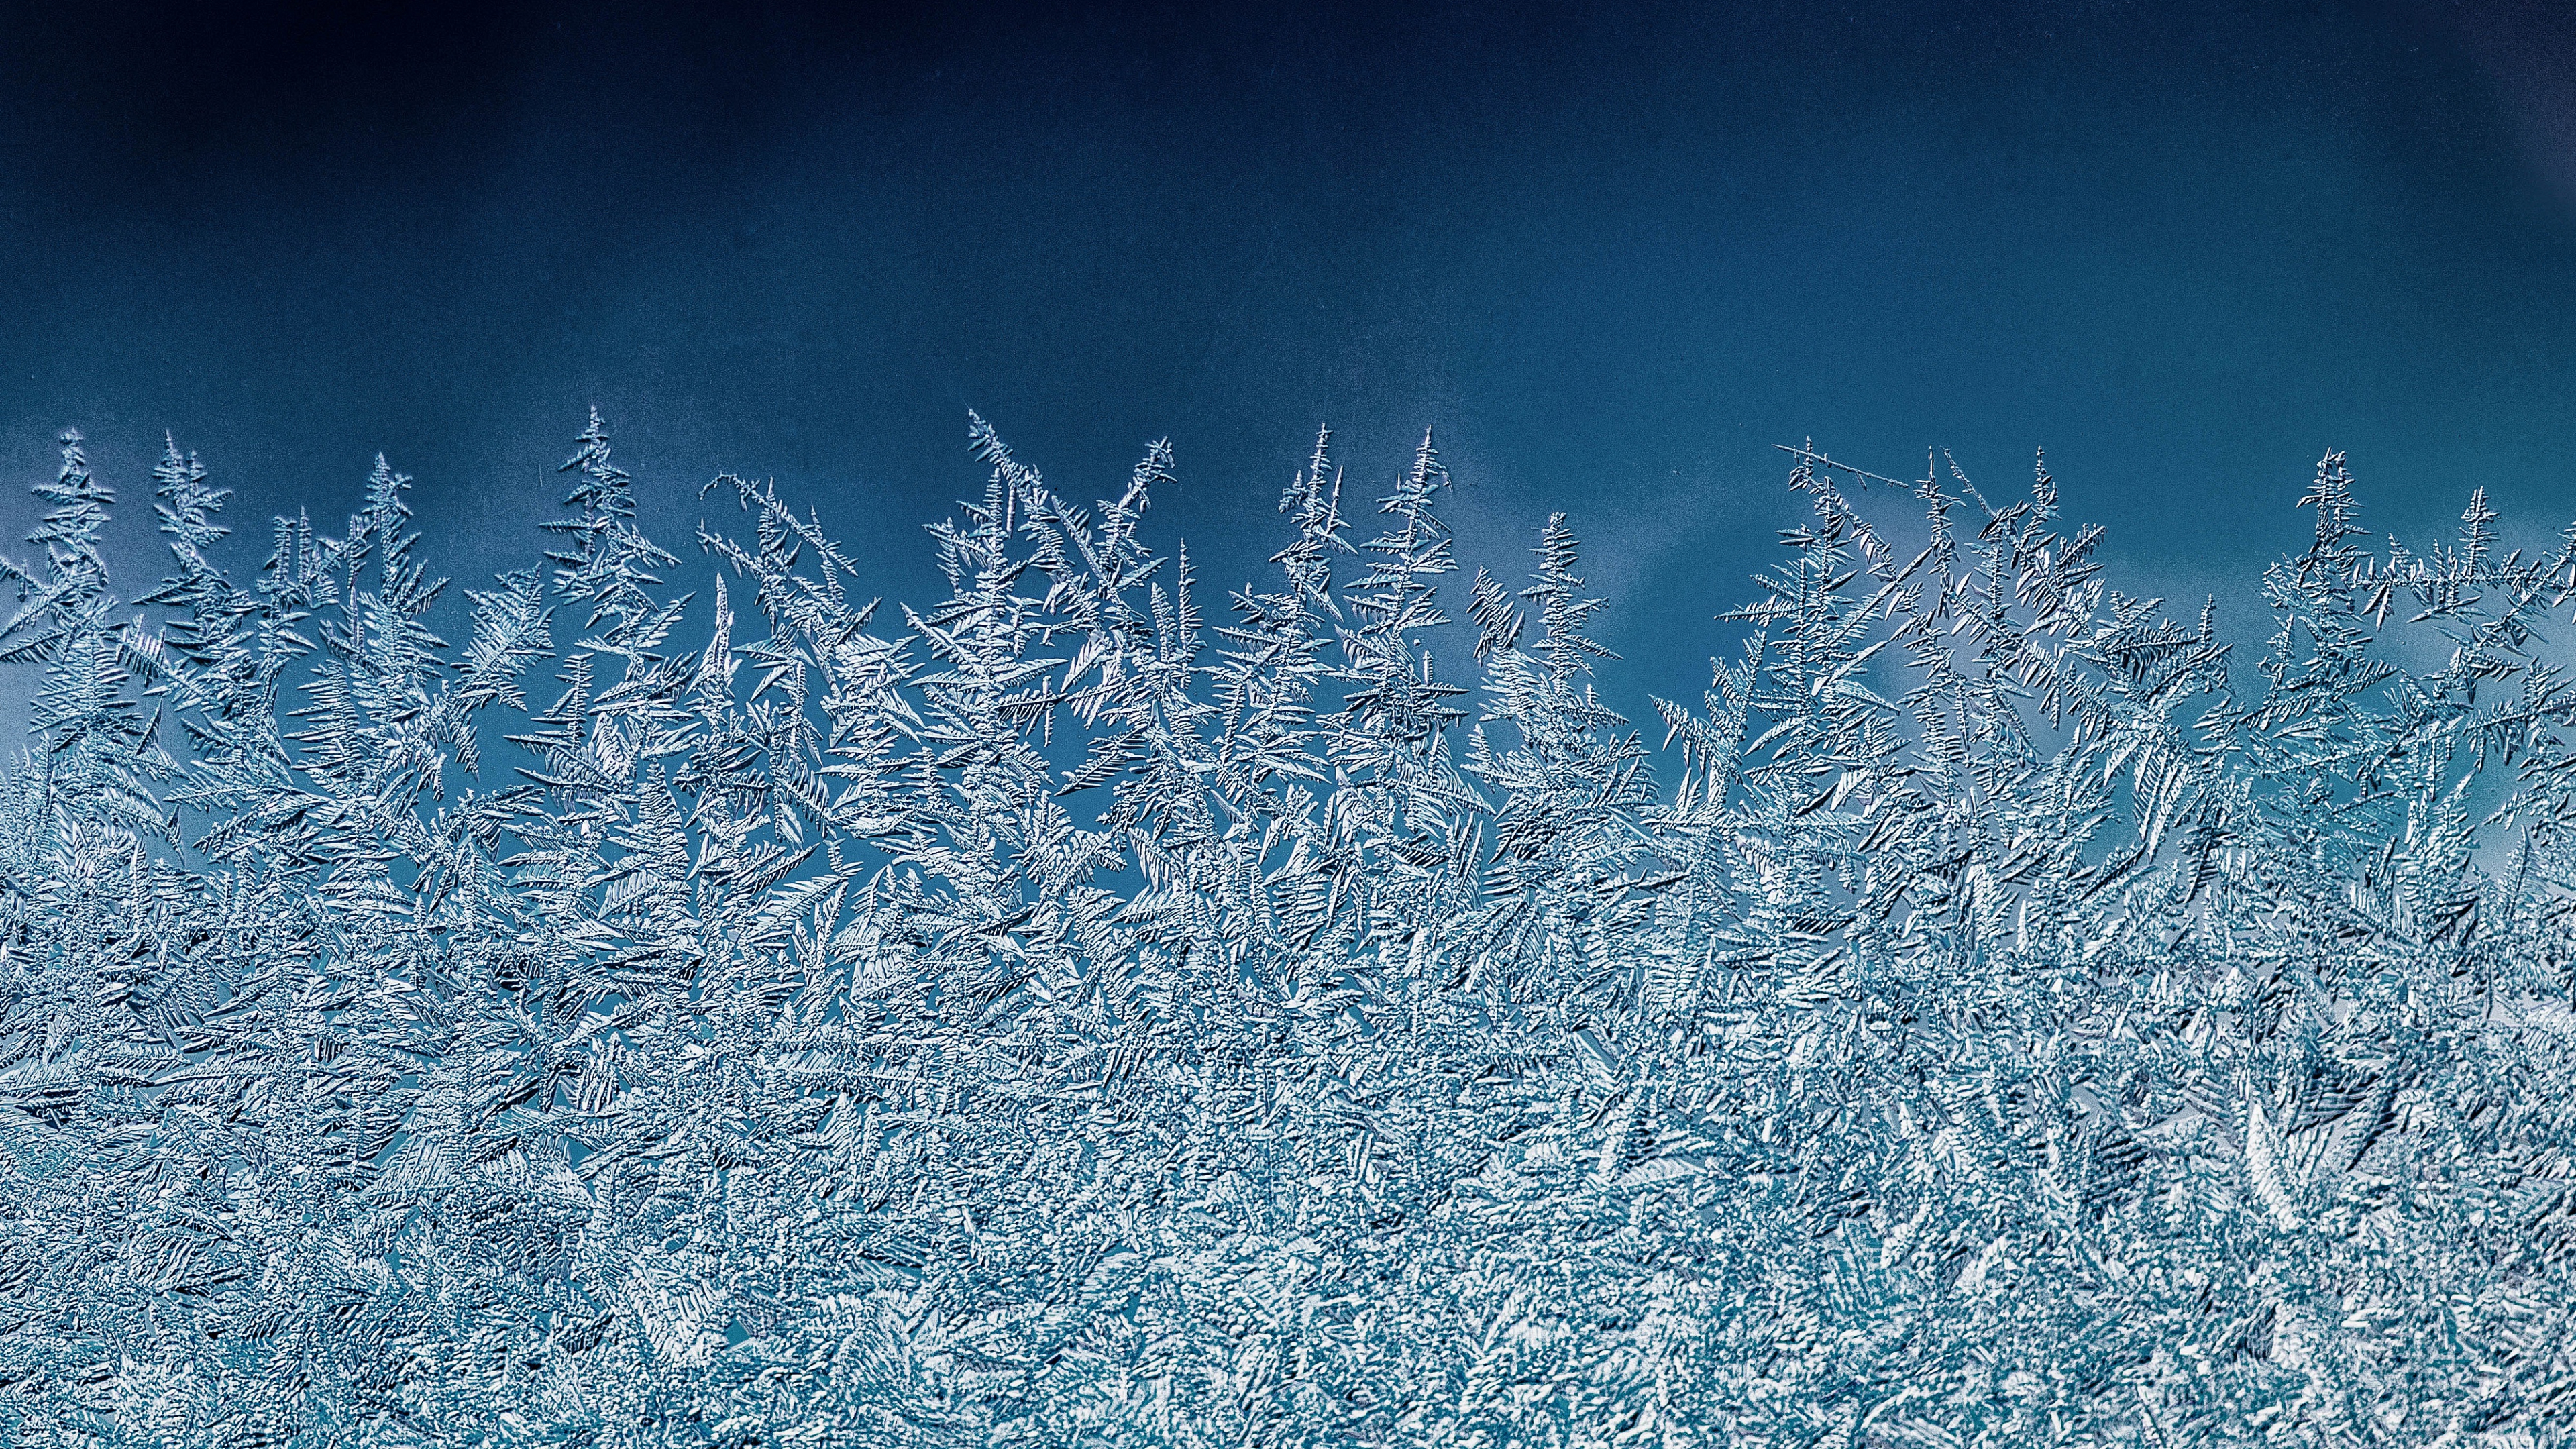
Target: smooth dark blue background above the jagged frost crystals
x,y
1614,254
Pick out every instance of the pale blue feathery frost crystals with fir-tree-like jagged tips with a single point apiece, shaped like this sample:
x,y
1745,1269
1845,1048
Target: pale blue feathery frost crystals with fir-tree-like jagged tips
x,y
1055,1017
